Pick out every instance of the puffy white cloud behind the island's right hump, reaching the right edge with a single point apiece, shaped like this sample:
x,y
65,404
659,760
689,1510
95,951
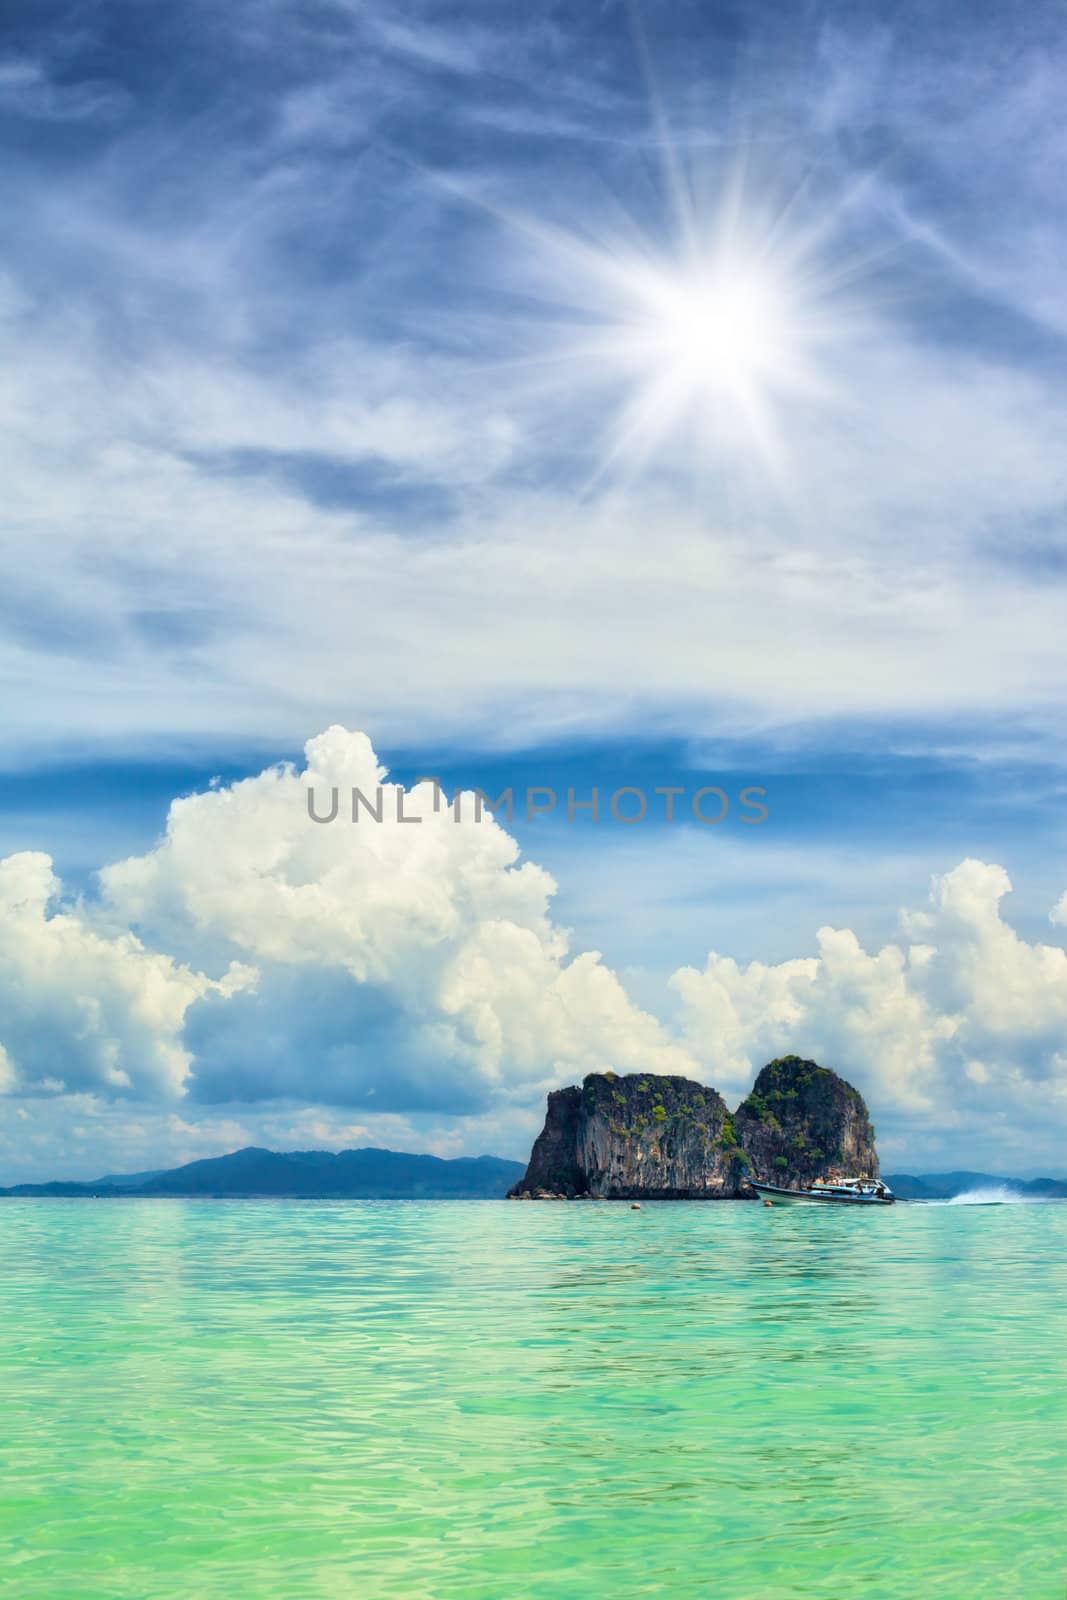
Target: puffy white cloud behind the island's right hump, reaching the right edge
x,y
962,1028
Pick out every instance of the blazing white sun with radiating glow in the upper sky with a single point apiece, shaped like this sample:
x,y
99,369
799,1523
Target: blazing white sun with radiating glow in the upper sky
x,y
705,340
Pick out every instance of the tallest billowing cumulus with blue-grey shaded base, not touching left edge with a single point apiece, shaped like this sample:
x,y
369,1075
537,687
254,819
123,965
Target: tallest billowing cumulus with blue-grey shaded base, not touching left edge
x,y
401,964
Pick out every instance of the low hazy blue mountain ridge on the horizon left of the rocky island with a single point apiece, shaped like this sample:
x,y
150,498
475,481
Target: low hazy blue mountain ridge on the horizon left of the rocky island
x,y
308,1175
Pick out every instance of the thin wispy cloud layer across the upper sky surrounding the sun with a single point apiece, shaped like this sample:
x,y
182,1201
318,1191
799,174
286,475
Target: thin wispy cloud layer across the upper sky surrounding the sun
x,y
302,378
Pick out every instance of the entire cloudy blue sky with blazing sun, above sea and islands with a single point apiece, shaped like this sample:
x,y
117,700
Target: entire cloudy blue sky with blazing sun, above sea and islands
x,y
644,396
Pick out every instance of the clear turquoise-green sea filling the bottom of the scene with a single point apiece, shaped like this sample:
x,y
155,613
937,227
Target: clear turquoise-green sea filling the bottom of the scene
x,y
532,1402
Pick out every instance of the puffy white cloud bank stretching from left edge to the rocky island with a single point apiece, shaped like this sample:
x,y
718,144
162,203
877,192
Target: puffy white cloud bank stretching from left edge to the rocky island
x,y
255,956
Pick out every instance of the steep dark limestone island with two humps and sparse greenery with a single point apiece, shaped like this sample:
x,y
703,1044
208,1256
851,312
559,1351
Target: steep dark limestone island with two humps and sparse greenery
x,y
665,1138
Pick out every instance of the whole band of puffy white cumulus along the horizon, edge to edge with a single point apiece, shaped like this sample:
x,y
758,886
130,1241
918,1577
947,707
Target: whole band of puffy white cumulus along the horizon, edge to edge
x,y
260,966
